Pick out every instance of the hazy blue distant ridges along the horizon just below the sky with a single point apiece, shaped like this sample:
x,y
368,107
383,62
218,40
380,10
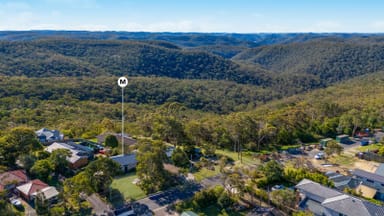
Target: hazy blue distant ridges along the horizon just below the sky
x,y
182,39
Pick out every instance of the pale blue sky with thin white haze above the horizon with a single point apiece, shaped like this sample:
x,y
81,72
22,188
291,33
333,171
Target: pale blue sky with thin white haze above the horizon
x,y
242,16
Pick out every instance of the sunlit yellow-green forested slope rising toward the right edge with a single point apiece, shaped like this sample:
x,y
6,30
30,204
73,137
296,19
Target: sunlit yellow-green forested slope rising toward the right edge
x,y
342,108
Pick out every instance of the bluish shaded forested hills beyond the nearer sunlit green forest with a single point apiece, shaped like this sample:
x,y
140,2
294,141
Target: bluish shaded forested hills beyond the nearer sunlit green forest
x,y
284,64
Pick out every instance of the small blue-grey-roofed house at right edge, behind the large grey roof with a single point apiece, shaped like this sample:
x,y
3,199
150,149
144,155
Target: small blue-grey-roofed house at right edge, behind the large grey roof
x,y
371,180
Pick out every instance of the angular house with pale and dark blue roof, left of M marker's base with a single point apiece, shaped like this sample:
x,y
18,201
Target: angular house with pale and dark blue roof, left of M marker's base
x,y
79,157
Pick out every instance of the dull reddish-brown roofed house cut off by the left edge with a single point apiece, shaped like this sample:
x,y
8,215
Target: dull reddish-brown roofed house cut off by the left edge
x,y
9,180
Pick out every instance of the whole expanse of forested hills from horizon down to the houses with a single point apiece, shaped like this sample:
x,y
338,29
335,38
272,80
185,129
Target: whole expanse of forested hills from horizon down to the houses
x,y
256,95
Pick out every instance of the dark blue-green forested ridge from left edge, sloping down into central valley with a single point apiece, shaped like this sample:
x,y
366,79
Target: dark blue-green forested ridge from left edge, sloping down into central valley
x,y
64,57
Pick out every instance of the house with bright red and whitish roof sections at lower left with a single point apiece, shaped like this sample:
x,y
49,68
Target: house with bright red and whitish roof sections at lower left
x,y
30,190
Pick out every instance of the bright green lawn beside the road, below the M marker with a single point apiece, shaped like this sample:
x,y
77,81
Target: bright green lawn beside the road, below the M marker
x,y
127,188
